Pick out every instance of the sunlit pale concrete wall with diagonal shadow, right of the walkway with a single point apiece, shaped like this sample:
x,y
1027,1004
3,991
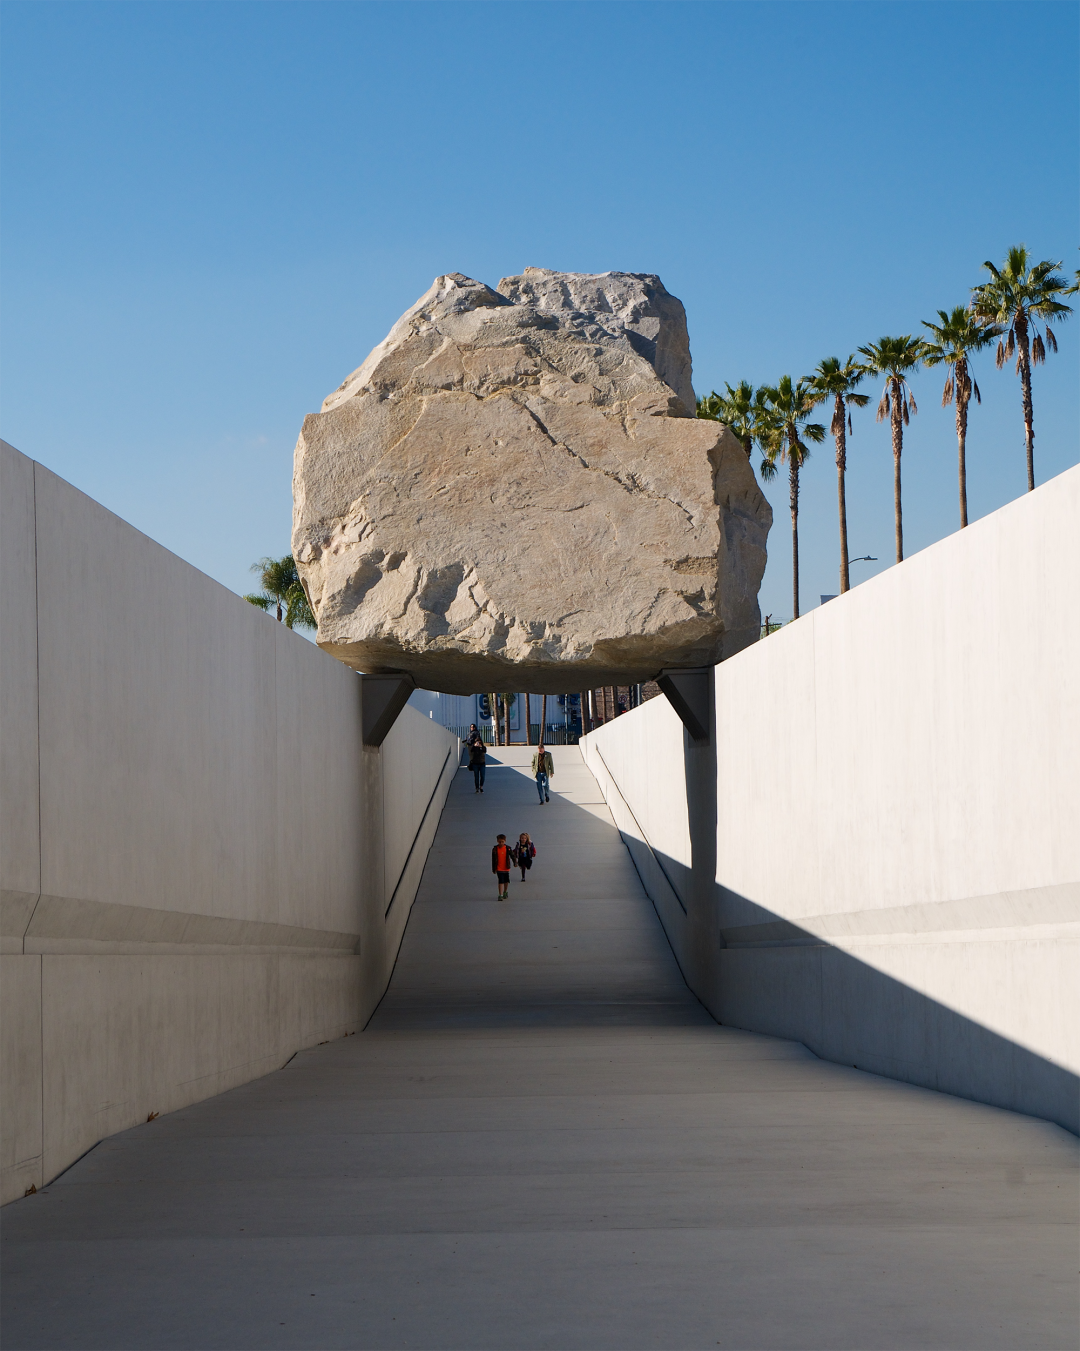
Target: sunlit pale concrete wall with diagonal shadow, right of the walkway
x,y
882,855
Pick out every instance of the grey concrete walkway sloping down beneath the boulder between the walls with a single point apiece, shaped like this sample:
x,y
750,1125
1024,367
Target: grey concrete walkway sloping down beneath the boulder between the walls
x,y
544,1142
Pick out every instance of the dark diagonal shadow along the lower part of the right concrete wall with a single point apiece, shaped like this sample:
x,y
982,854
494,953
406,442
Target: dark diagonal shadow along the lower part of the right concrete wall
x,y
756,971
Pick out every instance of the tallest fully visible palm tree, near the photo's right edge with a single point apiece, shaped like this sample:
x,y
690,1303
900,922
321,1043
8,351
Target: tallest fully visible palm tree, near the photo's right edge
x,y
1016,298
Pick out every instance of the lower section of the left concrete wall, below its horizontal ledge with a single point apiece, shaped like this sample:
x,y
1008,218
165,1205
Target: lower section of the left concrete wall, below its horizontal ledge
x,y
94,1045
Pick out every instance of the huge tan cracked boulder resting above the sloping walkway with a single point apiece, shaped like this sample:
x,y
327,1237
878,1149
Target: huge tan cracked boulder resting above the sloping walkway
x,y
512,494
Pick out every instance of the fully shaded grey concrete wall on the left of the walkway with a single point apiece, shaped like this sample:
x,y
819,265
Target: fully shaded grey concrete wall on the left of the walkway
x,y
197,852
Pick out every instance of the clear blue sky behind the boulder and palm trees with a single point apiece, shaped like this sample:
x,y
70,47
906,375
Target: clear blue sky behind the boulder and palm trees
x,y
212,213
